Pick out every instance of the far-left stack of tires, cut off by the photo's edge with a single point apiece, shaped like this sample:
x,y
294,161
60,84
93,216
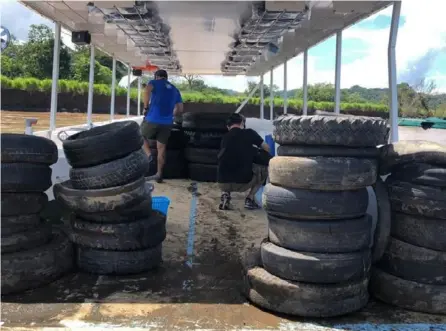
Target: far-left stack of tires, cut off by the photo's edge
x,y
32,253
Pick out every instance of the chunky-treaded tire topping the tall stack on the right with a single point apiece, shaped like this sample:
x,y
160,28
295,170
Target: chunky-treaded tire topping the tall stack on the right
x,y
350,131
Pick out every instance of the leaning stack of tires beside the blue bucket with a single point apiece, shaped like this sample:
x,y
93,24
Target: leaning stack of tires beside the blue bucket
x,y
113,226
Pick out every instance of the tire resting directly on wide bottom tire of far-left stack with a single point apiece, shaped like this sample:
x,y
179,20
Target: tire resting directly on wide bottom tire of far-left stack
x,y
29,239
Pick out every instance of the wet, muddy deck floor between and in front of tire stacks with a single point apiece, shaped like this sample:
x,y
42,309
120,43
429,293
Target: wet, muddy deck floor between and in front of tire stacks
x,y
205,296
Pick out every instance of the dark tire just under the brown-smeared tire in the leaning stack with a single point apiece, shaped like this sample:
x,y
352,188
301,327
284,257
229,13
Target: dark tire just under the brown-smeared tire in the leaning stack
x,y
142,209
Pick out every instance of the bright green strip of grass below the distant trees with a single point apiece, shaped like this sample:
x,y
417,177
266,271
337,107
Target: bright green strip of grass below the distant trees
x,y
75,87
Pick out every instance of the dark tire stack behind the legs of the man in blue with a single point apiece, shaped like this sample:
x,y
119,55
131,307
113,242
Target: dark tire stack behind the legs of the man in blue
x,y
175,165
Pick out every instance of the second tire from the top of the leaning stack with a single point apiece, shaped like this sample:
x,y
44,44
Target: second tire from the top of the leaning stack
x,y
114,173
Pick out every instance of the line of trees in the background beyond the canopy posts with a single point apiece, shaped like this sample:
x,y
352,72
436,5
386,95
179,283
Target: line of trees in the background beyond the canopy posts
x,y
34,58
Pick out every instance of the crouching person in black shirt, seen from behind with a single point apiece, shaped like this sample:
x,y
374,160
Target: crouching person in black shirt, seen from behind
x,y
238,170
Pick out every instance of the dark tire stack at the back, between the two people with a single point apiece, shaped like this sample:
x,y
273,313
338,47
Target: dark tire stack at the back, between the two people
x,y
205,131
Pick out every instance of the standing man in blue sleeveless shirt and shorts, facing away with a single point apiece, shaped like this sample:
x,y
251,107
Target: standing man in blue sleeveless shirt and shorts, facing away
x,y
165,103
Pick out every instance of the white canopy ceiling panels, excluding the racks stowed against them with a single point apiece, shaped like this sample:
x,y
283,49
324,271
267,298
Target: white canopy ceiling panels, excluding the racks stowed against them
x,y
202,33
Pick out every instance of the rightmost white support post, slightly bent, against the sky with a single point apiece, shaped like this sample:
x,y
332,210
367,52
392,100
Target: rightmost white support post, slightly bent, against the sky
x,y
393,87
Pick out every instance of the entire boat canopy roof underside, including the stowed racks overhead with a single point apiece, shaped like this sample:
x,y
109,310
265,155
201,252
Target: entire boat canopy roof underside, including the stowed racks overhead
x,y
206,37
